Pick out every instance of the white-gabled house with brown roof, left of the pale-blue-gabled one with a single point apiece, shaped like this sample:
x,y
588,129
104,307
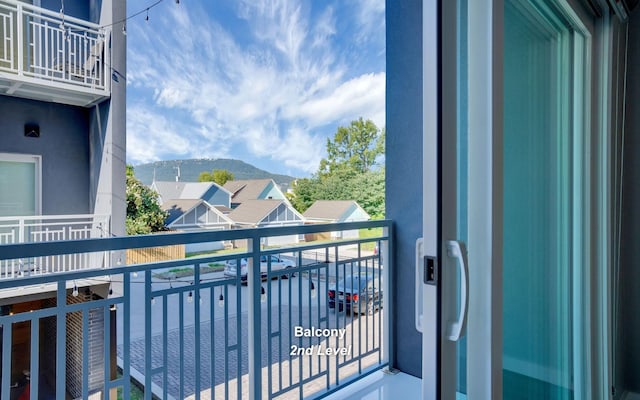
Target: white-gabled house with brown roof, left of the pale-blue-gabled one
x,y
267,214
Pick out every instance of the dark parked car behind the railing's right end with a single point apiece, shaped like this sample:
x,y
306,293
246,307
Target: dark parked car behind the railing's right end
x,y
359,293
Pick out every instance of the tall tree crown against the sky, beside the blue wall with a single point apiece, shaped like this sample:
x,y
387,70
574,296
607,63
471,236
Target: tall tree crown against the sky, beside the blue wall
x,y
354,149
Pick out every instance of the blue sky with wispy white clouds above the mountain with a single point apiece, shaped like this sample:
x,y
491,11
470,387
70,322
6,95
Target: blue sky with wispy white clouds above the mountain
x,y
263,81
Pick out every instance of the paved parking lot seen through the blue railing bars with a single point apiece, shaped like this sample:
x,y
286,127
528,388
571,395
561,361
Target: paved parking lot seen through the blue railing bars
x,y
222,334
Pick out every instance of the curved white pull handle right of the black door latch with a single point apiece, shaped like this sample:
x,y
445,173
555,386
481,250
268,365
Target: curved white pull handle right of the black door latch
x,y
454,330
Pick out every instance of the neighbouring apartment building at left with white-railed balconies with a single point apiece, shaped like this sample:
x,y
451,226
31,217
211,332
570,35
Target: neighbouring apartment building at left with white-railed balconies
x,y
62,164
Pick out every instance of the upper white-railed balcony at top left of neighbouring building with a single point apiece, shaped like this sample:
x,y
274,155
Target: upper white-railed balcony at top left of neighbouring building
x,y
47,56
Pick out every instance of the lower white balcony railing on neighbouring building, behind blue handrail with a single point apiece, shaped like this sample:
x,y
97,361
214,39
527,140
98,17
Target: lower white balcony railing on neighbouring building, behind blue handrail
x,y
48,228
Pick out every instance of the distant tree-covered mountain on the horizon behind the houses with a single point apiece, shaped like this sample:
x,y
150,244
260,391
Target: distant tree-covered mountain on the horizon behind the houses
x,y
191,169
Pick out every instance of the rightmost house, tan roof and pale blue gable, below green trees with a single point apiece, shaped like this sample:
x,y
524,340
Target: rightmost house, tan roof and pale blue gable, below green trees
x,y
336,211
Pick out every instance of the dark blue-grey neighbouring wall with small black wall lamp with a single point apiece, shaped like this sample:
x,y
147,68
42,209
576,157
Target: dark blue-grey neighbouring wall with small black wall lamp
x,y
63,145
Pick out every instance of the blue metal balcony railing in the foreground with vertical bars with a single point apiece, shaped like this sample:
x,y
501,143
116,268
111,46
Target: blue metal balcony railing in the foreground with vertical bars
x,y
184,329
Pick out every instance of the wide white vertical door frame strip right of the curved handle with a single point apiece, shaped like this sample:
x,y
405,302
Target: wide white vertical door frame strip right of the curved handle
x,y
485,211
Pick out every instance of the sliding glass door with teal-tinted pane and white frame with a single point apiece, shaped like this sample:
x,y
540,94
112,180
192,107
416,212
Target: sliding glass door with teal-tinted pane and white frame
x,y
515,181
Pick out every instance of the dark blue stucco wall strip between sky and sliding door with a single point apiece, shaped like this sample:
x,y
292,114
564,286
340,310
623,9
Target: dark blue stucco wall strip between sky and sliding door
x,y
404,154
